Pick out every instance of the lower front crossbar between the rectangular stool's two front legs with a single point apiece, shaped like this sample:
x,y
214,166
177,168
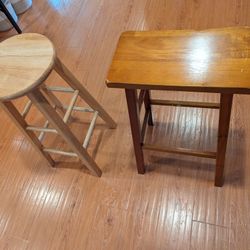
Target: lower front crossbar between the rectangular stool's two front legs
x,y
182,151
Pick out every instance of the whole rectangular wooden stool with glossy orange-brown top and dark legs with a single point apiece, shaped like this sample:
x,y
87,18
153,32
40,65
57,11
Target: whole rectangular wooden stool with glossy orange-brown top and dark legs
x,y
213,61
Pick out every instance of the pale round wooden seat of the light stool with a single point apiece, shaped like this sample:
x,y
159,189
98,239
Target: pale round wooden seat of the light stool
x,y
25,62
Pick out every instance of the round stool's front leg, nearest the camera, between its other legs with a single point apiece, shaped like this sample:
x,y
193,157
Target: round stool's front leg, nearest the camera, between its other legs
x,y
47,110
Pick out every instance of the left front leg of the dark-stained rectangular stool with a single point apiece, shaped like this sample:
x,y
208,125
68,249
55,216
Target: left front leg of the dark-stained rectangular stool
x,y
133,110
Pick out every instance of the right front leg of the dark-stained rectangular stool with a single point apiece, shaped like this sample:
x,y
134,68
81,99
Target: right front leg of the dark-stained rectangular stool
x,y
224,123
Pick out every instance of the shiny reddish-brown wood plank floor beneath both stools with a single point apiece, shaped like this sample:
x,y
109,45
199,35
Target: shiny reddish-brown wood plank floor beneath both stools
x,y
175,204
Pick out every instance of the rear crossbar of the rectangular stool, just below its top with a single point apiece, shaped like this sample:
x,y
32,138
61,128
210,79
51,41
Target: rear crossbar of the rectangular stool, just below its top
x,y
185,104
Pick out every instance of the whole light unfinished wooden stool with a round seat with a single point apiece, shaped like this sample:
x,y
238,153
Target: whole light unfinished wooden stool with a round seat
x,y
25,63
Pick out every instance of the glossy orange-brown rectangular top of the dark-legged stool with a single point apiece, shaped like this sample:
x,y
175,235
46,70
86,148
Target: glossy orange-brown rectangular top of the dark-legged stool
x,y
215,60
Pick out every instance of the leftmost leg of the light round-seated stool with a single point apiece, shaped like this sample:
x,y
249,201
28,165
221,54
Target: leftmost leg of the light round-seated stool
x,y
16,117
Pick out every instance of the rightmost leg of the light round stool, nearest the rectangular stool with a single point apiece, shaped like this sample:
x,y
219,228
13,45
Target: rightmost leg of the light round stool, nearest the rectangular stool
x,y
61,69
